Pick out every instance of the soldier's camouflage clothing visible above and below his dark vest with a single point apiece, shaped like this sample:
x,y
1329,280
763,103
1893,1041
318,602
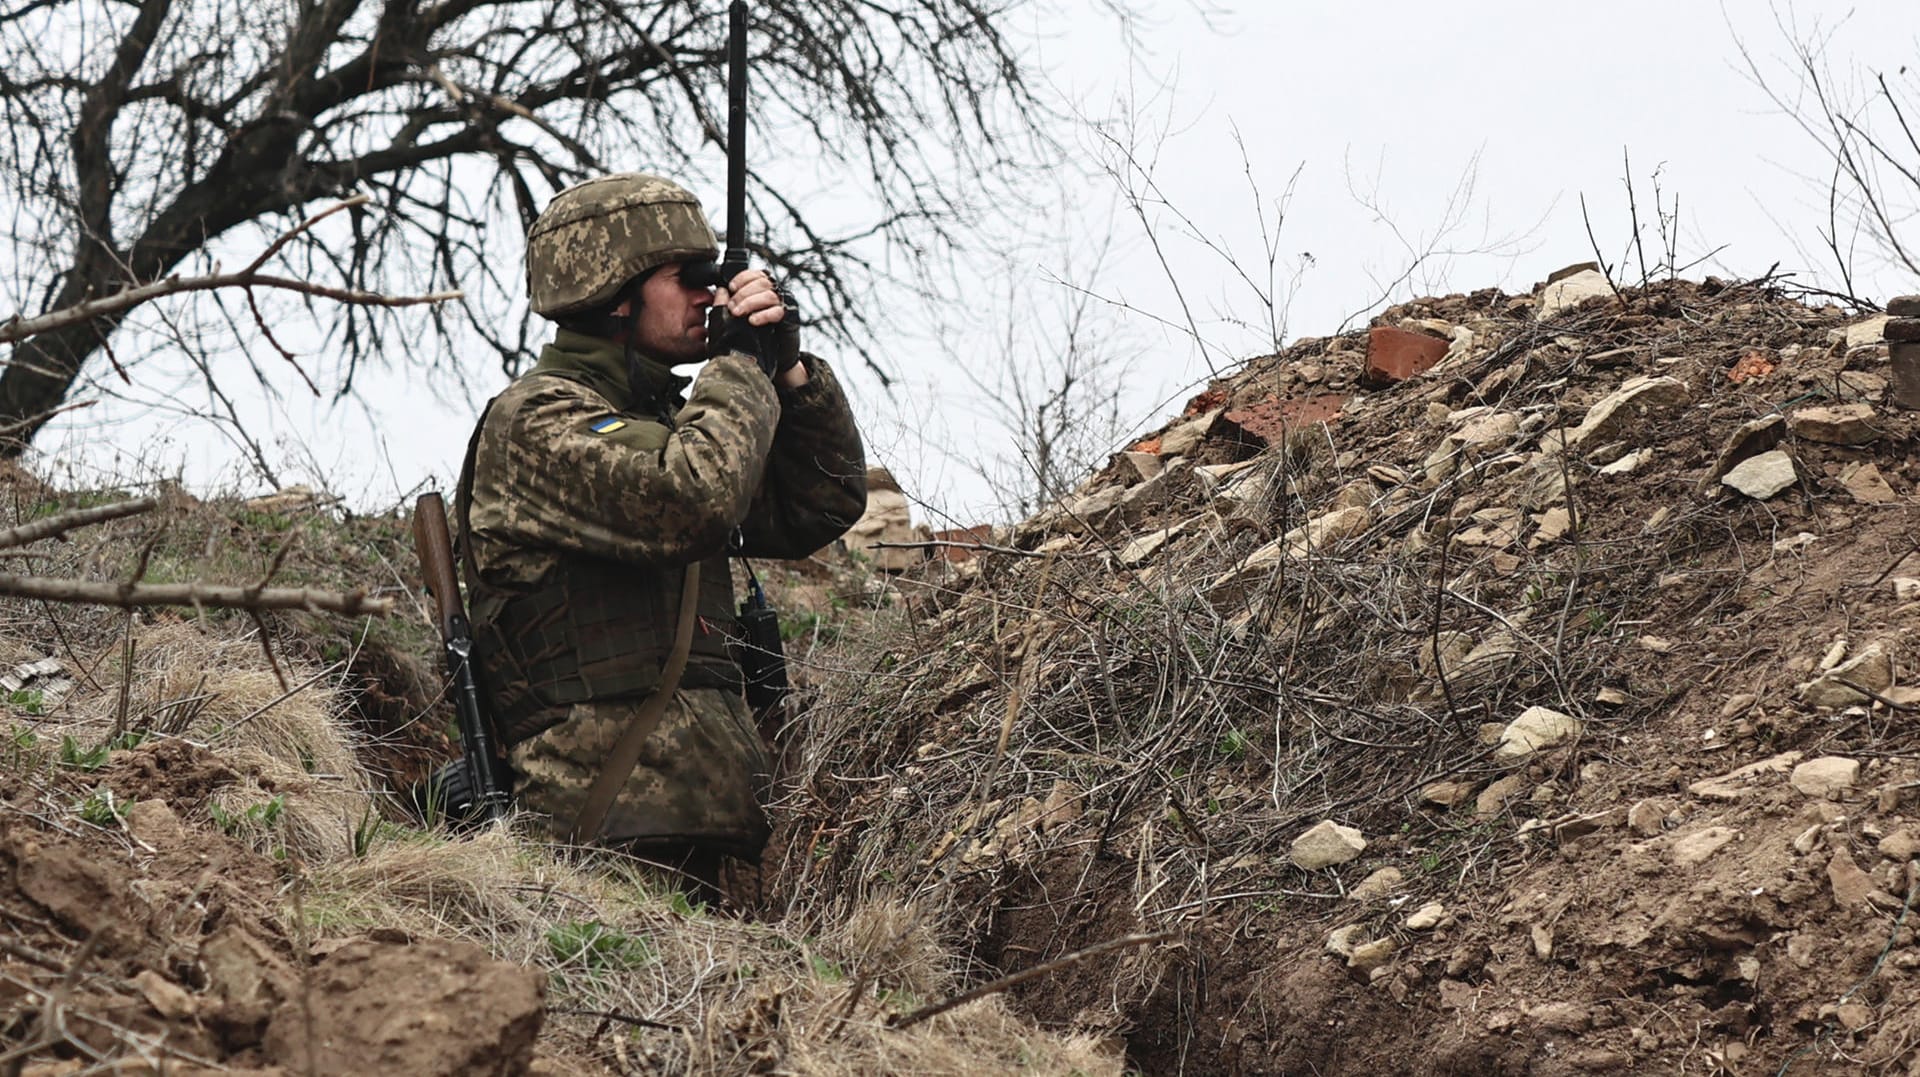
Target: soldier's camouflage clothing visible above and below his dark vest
x,y
663,487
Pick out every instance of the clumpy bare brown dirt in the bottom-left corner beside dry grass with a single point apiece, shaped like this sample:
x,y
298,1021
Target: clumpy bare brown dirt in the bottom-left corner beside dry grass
x,y
139,940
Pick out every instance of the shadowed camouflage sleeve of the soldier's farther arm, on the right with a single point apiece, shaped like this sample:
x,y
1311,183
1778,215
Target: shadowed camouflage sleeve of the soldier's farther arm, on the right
x,y
815,485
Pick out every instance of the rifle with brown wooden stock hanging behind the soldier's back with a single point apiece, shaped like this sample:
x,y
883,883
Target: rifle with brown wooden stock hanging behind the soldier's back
x,y
475,788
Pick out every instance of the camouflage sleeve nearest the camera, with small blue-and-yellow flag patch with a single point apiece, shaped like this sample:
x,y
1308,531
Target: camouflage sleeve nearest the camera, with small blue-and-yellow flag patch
x,y
560,469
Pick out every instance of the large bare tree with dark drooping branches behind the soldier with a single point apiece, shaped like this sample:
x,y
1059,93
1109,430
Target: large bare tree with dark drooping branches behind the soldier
x,y
143,132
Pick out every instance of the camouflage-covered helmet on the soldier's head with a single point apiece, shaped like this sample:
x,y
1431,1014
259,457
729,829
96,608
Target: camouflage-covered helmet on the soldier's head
x,y
598,235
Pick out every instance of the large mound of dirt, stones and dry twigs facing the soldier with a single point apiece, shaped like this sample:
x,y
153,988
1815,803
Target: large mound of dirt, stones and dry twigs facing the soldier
x,y
1426,730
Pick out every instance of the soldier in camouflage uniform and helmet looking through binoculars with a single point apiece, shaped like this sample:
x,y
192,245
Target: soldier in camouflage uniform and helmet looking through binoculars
x,y
600,477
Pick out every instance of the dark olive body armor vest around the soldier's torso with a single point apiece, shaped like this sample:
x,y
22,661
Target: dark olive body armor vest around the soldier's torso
x,y
590,629
